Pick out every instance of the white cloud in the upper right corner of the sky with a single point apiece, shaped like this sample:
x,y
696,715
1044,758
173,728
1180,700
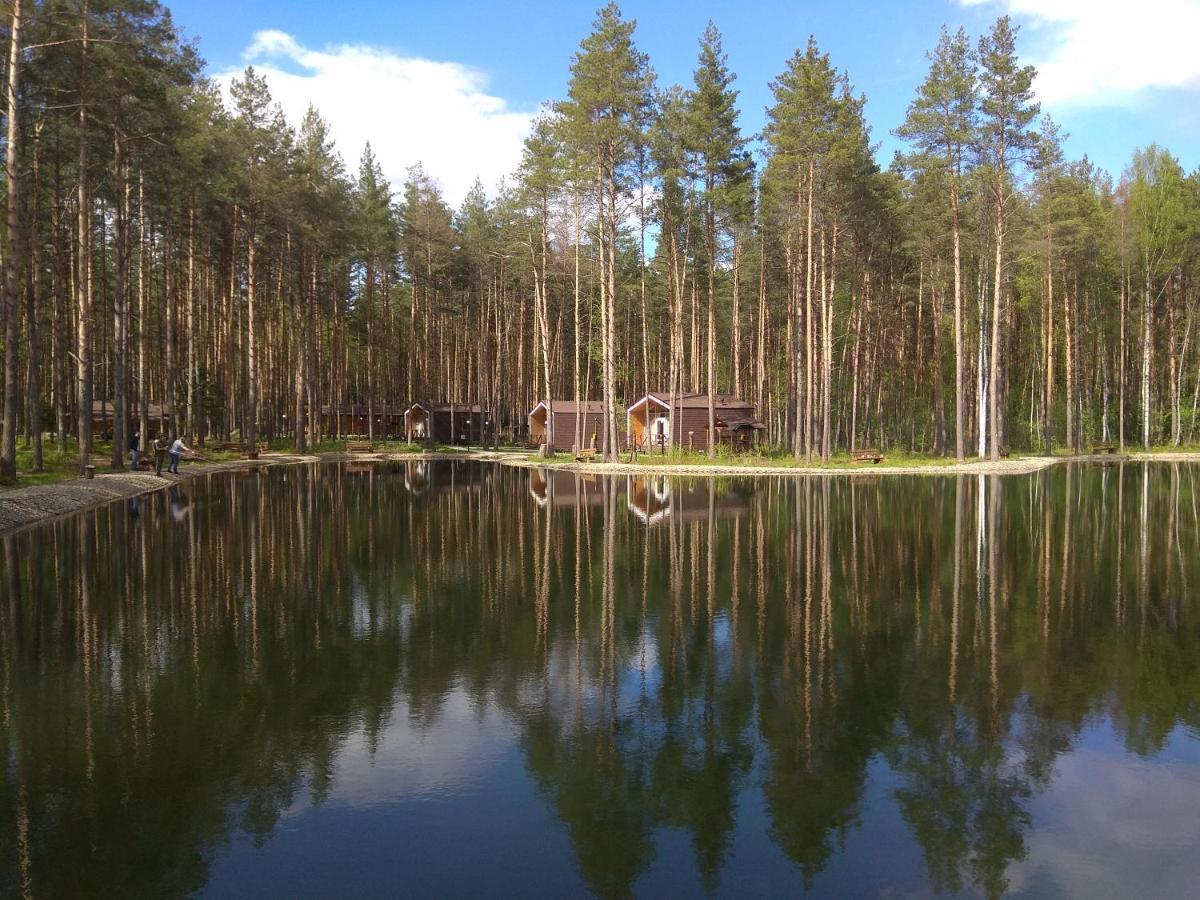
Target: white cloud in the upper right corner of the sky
x,y
1107,52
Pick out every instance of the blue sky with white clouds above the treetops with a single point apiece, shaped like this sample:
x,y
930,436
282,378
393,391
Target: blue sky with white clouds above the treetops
x,y
455,83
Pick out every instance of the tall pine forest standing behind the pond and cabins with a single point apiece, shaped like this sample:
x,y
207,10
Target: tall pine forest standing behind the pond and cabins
x,y
176,249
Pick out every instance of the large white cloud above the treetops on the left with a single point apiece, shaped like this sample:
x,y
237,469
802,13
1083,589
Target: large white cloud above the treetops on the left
x,y
411,110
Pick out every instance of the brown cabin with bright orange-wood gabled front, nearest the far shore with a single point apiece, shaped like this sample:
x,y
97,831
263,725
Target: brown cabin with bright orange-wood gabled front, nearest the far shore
x,y
653,419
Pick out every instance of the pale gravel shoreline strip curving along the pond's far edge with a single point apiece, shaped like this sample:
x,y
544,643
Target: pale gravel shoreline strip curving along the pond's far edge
x,y
27,507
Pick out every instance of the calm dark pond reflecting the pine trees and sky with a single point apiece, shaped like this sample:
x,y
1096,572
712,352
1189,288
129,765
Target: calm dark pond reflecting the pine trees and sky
x,y
447,680
